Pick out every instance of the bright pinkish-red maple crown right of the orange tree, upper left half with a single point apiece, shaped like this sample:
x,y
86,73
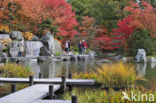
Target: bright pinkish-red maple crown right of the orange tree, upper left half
x,y
62,15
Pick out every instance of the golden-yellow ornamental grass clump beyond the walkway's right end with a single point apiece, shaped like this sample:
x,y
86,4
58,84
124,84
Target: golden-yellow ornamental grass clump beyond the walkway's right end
x,y
113,75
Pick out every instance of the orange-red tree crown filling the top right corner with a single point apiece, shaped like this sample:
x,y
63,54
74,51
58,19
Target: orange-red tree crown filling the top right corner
x,y
143,15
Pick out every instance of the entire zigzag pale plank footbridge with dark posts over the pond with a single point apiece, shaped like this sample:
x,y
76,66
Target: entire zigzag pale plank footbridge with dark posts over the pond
x,y
41,89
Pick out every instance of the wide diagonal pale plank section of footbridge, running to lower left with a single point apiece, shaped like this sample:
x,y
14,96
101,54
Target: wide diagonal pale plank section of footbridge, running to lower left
x,y
29,94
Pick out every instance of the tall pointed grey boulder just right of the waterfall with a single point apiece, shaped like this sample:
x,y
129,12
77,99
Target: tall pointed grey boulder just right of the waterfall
x,y
49,41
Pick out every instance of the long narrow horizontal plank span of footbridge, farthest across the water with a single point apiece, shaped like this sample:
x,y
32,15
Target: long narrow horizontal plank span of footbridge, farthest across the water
x,y
49,81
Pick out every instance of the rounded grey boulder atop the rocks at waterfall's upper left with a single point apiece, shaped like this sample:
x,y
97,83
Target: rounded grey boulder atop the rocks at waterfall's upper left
x,y
16,35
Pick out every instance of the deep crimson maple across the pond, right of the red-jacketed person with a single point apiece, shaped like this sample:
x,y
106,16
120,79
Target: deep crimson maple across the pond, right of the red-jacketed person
x,y
118,37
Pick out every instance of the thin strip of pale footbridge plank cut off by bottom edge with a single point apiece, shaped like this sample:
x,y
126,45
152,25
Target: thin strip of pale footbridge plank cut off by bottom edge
x,y
52,101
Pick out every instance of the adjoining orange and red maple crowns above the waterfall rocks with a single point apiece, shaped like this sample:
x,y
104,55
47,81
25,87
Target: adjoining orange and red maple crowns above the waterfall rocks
x,y
60,12
